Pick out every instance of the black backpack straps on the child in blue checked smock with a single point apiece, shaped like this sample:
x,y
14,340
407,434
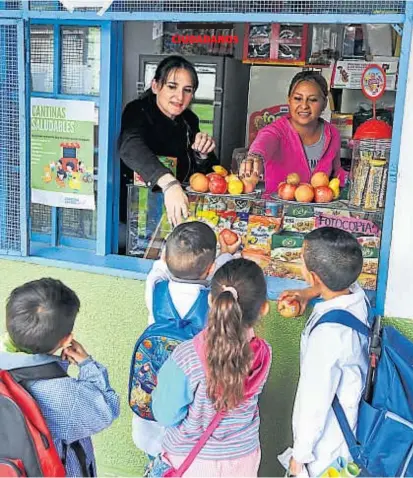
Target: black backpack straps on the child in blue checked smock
x,y
49,371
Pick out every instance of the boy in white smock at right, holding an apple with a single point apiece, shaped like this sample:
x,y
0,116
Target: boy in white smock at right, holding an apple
x,y
334,358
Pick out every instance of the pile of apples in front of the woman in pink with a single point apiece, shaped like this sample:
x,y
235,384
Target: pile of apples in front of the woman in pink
x,y
320,189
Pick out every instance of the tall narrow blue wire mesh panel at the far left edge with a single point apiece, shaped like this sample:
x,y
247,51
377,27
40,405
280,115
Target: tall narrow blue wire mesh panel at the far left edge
x,y
10,237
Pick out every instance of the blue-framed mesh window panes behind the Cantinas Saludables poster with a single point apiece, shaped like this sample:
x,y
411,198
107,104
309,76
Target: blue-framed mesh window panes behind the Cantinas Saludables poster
x,y
59,59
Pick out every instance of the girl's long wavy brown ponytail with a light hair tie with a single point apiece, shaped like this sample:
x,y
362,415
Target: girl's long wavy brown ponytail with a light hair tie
x,y
228,351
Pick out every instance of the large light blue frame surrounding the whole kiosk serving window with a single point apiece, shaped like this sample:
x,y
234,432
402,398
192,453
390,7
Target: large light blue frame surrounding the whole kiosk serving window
x,y
55,248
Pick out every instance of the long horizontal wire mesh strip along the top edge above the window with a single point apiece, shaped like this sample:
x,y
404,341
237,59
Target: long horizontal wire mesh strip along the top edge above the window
x,y
244,6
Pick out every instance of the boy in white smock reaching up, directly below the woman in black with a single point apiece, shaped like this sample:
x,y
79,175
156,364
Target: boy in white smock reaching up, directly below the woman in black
x,y
187,264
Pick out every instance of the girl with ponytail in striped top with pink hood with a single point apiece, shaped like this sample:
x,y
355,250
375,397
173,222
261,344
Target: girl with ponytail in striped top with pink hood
x,y
224,368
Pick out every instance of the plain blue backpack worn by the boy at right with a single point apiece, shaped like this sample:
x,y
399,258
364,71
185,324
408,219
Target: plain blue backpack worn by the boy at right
x,y
384,442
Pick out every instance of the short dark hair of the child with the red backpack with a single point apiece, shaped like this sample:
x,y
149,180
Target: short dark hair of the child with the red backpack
x,y
39,314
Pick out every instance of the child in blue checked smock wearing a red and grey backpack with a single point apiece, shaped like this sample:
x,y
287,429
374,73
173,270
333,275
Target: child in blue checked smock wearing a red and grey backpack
x,y
48,430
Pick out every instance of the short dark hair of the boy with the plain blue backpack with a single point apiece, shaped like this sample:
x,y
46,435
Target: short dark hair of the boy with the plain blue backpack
x,y
334,255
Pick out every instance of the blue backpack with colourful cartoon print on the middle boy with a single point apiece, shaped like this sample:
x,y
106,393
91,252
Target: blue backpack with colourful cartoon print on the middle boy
x,y
157,343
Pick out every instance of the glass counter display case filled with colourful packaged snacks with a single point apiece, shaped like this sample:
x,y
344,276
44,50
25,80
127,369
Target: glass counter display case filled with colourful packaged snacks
x,y
272,230
